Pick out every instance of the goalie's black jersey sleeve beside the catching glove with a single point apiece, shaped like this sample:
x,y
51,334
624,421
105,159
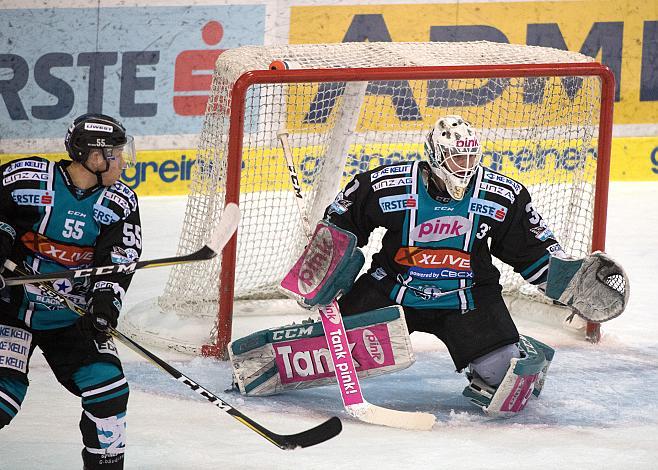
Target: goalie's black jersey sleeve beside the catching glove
x,y
524,240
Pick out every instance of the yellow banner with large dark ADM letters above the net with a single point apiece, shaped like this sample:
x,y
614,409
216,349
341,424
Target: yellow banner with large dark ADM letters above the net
x,y
622,34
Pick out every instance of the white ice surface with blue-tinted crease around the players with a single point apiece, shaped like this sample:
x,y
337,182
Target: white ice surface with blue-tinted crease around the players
x,y
598,409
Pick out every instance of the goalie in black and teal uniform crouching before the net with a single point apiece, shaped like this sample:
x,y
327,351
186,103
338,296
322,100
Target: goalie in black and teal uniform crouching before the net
x,y
444,219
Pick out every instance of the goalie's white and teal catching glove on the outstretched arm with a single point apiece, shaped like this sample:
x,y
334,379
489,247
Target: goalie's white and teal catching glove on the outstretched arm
x,y
596,287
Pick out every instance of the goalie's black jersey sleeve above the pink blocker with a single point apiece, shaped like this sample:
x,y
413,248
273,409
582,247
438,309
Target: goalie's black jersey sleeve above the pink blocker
x,y
352,209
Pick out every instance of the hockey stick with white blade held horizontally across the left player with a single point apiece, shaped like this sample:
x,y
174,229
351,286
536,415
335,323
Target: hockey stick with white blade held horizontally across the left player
x,y
227,225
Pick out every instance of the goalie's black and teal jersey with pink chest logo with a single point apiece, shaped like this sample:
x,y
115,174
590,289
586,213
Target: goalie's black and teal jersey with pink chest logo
x,y
438,253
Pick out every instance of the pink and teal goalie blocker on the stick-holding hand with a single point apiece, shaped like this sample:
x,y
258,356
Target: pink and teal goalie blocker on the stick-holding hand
x,y
327,267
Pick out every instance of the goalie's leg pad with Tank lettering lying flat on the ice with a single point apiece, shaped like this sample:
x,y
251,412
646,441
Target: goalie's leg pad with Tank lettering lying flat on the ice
x,y
296,356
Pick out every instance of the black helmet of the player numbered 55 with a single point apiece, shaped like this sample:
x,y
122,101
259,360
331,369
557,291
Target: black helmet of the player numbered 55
x,y
94,131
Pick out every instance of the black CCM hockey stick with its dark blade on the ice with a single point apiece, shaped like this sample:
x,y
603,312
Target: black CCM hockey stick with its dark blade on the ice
x,y
310,437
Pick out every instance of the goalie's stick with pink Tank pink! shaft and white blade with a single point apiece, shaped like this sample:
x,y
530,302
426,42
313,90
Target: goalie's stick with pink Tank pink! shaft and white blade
x,y
334,330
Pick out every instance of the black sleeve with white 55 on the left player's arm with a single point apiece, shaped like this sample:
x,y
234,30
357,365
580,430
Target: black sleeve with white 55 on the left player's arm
x,y
118,242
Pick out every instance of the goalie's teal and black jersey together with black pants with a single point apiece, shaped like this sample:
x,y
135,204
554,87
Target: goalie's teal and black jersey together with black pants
x,y
436,255
